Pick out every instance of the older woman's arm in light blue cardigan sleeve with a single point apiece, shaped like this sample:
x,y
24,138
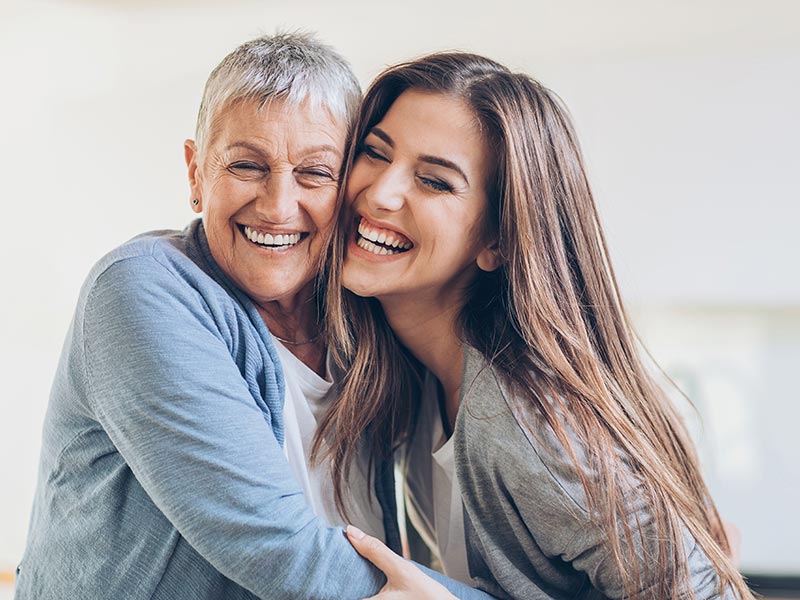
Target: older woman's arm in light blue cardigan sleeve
x,y
168,393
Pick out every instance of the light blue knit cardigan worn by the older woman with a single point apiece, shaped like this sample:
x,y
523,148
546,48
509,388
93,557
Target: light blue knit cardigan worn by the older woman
x,y
162,473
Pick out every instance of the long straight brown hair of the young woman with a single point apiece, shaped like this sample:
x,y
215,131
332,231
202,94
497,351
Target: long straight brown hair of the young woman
x,y
550,321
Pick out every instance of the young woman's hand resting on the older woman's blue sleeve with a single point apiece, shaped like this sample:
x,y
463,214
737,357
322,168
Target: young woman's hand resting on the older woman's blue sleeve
x,y
404,581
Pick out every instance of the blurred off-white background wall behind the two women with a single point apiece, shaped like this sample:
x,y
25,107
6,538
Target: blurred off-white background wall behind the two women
x,y
688,116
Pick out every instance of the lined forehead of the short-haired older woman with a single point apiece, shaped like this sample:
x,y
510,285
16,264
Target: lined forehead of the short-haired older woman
x,y
278,122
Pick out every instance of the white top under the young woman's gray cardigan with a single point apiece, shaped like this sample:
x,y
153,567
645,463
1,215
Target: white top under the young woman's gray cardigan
x,y
433,493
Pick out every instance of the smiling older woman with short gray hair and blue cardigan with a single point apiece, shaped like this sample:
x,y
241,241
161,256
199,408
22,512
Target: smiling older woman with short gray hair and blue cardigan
x,y
164,469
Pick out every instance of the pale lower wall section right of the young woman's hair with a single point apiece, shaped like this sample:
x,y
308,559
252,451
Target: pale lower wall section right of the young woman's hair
x,y
738,365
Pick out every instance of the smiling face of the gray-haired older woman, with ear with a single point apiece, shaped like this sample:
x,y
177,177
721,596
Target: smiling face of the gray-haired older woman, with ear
x,y
267,186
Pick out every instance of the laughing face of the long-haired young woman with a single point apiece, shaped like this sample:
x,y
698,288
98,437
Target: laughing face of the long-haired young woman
x,y
417,192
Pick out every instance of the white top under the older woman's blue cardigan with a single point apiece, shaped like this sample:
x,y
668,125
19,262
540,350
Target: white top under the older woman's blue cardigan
x,y
304,405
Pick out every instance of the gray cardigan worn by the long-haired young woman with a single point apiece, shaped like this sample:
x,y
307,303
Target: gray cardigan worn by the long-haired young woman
x,y
529,533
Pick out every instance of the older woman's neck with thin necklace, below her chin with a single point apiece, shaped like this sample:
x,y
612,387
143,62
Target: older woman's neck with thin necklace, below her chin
x,y
295,320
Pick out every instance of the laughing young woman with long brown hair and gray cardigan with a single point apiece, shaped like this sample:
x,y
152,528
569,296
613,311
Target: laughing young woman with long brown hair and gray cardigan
x,y
484,335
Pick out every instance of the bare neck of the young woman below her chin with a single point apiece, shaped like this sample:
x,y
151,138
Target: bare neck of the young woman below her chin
x,y
429,333
